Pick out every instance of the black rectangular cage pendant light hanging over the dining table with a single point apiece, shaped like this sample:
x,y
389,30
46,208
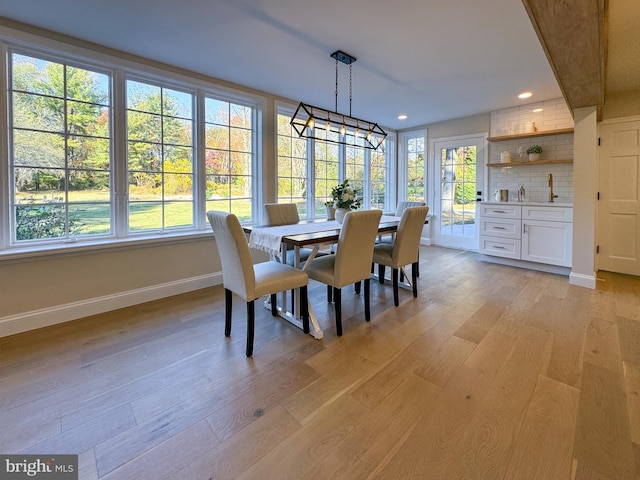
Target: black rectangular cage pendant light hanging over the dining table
x,y
308,120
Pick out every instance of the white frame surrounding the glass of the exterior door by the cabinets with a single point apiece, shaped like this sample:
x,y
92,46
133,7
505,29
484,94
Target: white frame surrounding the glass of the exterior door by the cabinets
x,y
482,153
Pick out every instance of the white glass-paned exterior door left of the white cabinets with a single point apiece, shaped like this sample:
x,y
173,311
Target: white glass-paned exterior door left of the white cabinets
x,y
458,182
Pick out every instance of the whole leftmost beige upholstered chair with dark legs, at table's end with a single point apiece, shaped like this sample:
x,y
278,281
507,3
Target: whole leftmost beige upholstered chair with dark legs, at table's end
x,y
249,281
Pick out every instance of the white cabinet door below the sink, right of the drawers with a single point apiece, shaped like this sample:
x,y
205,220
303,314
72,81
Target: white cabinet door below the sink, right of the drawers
x,y
547,235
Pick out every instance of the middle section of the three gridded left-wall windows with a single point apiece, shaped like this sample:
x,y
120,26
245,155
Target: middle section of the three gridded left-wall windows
x,y
159,157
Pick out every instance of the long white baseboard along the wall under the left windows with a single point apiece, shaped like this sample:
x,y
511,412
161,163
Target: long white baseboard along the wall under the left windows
x,y
45,317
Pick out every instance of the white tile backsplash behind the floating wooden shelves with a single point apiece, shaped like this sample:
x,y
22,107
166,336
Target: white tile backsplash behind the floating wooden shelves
x,y
512,121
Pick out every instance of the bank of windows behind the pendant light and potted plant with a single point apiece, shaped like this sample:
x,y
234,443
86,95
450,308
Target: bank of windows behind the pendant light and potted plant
x,y
324,165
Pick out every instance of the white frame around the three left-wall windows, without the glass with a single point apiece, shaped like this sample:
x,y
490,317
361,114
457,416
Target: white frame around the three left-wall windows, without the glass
x,y
119,69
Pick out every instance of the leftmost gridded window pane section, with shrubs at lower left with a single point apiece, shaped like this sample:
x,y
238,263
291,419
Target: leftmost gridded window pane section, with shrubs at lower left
x,y
60,157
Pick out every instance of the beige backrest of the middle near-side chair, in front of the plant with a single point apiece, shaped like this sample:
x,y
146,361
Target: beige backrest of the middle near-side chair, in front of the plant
x,y
355,246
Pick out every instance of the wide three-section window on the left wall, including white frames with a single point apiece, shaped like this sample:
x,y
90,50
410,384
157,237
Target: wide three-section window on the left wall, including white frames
x,y
102,155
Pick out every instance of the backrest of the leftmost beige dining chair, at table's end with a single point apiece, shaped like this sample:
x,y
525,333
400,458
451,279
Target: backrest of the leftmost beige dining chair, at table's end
x,y
237,265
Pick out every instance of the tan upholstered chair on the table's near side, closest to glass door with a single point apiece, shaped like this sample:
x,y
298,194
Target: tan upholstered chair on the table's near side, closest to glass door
x,y
404,249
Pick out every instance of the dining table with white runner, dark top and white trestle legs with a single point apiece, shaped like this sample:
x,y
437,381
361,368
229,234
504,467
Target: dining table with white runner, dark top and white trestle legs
x,y
277,240
